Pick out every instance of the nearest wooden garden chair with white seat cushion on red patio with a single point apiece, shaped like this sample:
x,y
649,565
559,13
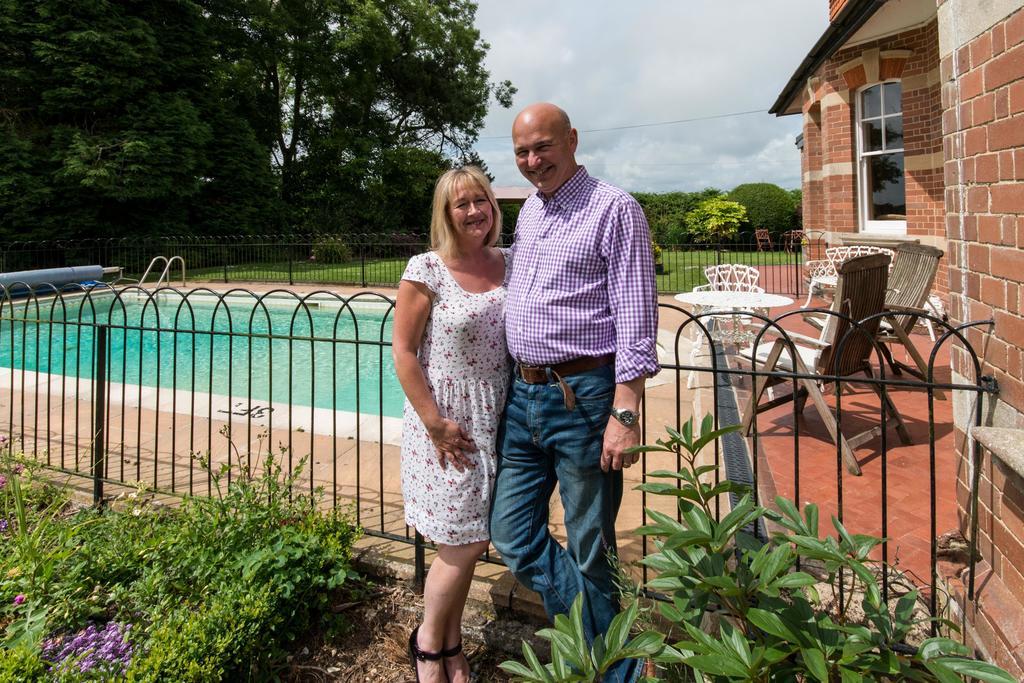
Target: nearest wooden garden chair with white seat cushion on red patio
x,y
844,350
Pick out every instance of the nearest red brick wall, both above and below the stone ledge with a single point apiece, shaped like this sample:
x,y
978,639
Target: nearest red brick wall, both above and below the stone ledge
x,y
984,149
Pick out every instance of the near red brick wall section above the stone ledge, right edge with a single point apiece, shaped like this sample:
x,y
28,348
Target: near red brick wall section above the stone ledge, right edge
x,y
984,122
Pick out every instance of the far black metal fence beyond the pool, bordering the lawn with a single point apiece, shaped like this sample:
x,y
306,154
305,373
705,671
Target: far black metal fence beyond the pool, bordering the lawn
x,y
362,261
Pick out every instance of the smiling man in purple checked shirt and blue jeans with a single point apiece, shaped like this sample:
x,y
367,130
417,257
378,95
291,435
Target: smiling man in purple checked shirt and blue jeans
x,y
581,320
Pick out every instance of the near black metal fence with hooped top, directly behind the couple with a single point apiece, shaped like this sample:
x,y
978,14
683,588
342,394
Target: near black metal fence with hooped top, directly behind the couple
x,y
130,386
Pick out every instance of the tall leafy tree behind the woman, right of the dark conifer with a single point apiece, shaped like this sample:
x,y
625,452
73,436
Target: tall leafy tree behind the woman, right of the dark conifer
x,y
361,92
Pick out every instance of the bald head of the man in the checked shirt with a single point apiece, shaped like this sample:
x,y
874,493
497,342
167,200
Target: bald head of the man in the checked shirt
x,y
545,147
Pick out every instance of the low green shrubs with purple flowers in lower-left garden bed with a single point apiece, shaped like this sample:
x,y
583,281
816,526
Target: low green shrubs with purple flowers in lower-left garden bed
x,y
216,589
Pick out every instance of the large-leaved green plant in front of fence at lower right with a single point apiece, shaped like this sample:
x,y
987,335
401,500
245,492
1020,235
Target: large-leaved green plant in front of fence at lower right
x,y
741,609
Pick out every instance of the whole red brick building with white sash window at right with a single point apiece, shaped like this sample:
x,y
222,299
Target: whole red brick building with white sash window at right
x,y
914,130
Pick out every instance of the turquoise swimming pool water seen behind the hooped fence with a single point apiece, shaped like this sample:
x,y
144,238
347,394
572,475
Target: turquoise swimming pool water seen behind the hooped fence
x,y
319,358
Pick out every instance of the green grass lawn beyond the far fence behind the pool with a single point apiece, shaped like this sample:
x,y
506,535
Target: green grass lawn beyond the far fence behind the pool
x,y
682,270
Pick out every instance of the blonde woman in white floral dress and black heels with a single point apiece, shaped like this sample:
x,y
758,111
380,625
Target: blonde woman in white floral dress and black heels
x,y
450,355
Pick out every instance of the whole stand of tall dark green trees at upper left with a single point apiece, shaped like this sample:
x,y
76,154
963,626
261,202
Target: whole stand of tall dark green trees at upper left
x,y
233,116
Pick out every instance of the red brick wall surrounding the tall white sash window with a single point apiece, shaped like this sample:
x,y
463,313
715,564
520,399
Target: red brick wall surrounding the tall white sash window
x,y
835,143
